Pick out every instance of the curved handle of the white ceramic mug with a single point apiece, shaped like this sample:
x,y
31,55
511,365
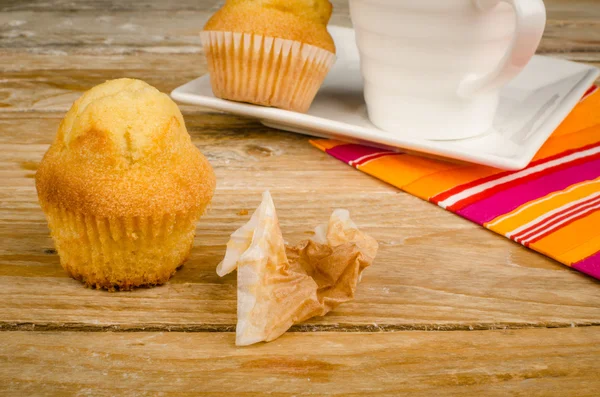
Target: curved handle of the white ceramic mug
x,y
530,25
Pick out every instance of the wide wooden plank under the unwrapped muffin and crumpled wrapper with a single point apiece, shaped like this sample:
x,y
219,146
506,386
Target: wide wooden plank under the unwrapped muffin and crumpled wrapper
x,y
434,270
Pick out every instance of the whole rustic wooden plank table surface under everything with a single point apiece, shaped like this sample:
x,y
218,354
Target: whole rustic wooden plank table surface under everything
x,y
447,309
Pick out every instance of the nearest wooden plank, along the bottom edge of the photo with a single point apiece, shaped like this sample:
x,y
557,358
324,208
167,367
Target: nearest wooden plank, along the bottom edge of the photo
x,y
547,362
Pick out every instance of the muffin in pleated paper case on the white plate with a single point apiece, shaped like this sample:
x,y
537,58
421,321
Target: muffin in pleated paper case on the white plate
x,y
269,52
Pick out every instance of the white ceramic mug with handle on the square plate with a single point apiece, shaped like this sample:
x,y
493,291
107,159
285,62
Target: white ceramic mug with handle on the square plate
x,y
434,68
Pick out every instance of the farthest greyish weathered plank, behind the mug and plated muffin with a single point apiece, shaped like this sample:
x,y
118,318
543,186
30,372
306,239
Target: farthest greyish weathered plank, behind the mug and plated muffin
x,y
112,27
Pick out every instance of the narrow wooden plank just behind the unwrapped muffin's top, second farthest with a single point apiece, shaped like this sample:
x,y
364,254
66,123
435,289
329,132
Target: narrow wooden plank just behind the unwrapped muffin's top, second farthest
x,y
50,83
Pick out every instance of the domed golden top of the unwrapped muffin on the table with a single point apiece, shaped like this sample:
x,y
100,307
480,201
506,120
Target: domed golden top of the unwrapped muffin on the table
x,y
123,150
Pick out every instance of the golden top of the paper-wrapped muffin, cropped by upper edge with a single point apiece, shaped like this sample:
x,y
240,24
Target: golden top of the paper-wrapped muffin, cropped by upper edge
x,y
299,20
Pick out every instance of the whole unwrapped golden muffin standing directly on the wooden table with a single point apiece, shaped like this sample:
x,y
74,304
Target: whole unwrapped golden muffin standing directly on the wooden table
x,y
122,187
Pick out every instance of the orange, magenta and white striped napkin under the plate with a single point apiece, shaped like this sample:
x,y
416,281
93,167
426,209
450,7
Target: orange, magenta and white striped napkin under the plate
x,y
552,206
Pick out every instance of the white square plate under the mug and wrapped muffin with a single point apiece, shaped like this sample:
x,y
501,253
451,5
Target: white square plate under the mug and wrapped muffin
x,y
531,108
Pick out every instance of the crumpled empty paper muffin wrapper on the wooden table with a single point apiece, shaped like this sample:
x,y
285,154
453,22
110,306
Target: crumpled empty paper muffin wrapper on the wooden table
x,y
280,286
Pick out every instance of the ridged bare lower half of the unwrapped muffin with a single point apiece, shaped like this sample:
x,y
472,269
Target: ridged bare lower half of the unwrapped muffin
x,y
120,253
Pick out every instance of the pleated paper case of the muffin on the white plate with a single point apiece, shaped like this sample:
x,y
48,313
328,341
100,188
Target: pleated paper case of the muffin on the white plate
x,y
266,71
